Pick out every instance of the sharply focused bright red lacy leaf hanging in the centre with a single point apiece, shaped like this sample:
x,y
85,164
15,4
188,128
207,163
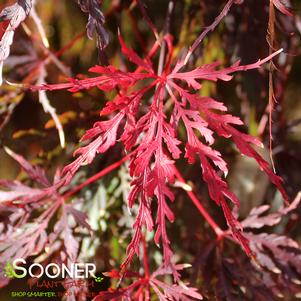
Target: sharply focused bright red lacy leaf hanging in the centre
x,y
152,137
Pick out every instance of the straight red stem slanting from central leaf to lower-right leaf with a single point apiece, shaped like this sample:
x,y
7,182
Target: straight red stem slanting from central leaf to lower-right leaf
x,y
219,232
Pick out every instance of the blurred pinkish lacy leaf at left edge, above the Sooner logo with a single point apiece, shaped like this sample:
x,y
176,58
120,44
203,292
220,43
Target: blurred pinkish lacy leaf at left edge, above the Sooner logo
x,y
26,212
